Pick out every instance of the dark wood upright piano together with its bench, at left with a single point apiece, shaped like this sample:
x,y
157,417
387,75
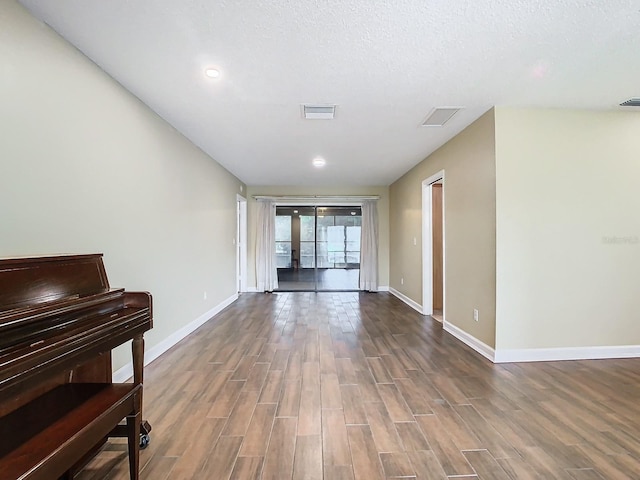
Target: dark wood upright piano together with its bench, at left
x,y
59,321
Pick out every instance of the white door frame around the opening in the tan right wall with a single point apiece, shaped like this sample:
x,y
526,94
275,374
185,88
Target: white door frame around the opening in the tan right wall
x,y
427,244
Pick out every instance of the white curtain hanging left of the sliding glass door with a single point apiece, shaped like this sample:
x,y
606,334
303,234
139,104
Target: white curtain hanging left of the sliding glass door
x,y
266,270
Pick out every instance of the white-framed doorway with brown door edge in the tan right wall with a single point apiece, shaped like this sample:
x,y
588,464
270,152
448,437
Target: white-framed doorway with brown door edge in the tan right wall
x,y
433,246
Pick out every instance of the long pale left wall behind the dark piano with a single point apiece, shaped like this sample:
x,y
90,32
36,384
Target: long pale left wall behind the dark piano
x,y
86,167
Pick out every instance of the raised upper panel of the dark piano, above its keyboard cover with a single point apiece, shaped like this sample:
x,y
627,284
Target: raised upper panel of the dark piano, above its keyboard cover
x,y
31,281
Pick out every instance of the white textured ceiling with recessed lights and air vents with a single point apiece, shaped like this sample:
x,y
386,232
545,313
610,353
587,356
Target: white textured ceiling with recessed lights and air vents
x,y
385,63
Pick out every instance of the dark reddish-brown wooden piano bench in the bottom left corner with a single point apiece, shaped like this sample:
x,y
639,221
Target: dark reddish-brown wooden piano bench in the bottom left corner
x,y
46,437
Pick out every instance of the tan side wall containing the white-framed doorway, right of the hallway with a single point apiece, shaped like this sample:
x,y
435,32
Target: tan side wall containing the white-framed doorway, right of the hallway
x,y
468,161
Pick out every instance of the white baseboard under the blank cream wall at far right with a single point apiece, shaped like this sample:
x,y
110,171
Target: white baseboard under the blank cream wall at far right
x,y
568,353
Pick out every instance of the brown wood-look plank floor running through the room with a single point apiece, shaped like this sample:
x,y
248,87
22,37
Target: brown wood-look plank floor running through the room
x,y
359,386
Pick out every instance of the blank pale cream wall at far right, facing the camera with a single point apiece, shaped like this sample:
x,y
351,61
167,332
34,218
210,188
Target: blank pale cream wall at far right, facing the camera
x,y
568,228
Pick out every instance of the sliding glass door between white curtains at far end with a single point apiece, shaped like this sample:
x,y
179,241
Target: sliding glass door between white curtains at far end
x,y
318,247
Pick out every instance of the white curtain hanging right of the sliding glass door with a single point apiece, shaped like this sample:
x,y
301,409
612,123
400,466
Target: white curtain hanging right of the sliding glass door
x,y
369,246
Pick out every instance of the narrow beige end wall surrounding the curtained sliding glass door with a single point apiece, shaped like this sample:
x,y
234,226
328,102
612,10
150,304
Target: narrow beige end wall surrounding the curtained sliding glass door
x,y
383,221
